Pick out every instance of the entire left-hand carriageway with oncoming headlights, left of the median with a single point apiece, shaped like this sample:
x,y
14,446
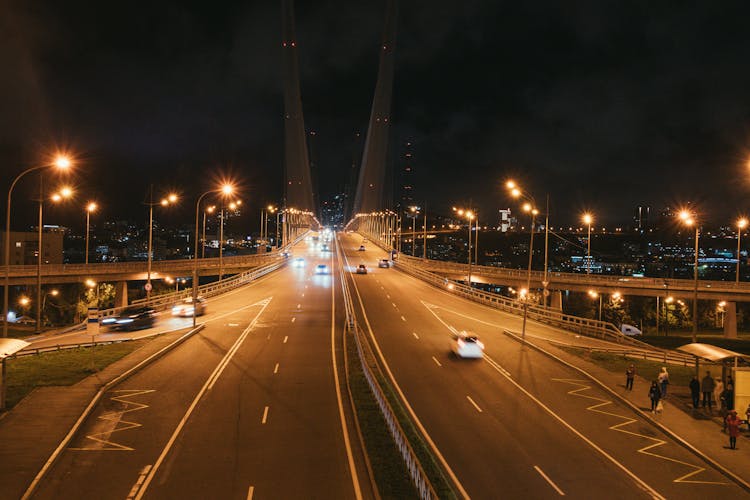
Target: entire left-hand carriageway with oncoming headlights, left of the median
x,y
248,407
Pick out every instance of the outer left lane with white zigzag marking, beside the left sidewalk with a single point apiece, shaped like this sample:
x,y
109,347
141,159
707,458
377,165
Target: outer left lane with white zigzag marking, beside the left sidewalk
x,y
136,416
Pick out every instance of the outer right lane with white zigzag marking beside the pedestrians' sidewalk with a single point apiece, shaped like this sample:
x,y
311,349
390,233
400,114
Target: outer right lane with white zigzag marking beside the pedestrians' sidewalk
x,y
633,441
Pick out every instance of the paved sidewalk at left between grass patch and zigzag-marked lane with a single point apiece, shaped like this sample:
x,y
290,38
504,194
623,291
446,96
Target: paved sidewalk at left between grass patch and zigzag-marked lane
x,y
31,431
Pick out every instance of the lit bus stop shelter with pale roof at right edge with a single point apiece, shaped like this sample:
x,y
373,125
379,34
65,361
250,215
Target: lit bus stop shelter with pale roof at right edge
x,y
732,363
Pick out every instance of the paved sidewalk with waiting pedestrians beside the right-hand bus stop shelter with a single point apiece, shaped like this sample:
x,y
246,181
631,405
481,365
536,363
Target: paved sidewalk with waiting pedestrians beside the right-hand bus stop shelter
x,y
696,427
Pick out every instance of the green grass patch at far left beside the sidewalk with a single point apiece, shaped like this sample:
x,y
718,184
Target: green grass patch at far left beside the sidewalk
x,y
61,368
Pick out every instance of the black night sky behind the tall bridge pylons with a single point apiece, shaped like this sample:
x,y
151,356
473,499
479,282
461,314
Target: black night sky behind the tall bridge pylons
x,y
602,105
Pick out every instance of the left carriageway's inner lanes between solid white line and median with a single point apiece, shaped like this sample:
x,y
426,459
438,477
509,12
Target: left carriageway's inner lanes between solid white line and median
x,y
274,411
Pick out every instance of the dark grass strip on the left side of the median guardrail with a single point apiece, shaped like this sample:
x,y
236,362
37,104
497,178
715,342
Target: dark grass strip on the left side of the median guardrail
x,y
391,475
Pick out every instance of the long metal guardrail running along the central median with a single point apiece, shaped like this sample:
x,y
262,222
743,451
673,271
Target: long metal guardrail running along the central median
x,y
418,476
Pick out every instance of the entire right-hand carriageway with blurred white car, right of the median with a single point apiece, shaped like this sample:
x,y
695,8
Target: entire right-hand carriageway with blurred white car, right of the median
x,y
516,424
